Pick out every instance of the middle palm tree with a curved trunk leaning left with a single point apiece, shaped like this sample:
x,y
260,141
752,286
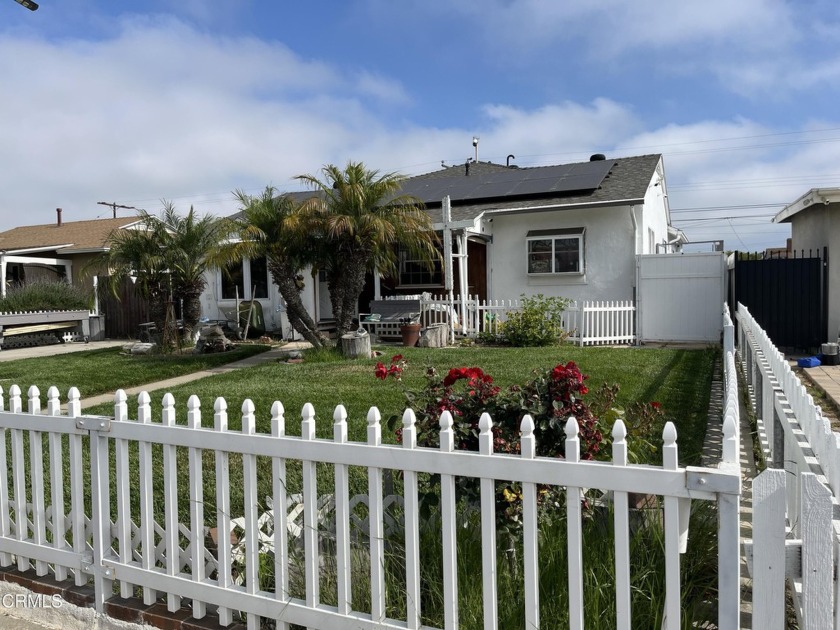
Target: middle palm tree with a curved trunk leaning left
x,y
269,226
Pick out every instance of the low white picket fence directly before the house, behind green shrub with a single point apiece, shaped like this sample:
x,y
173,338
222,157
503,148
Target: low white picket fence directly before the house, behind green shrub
x,y
588,322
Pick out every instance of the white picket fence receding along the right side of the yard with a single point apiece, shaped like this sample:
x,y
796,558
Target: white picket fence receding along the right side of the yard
x,y
795,536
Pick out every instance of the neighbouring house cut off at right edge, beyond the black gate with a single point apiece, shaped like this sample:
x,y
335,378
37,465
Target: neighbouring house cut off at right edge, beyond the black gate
x,y
815,224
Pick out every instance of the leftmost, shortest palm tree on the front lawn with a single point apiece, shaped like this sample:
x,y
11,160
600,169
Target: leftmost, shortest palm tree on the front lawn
x,y
168,256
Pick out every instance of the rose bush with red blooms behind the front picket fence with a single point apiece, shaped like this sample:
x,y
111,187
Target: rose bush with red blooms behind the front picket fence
x,y
551,397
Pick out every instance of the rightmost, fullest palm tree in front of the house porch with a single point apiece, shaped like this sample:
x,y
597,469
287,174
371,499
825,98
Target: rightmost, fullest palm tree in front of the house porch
x,y
359,222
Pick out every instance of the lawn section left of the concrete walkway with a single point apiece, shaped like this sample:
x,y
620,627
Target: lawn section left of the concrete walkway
x,y
99,371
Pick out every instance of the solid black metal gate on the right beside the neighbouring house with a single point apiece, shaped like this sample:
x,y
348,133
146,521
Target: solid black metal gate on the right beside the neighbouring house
x,y
787,296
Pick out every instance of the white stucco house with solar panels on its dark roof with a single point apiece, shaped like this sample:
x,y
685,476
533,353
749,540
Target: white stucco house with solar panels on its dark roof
x,y
570,230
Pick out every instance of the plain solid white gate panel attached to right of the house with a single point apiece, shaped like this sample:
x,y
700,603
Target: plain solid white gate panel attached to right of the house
x,y
679,297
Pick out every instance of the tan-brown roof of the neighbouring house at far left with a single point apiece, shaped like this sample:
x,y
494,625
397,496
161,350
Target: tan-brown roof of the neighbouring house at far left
x,y
69,237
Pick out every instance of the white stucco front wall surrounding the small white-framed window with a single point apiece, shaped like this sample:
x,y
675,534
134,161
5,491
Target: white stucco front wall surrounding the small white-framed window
x,y
609,255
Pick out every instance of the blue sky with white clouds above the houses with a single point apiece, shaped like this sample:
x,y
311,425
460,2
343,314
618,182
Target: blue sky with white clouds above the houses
x,y
137,101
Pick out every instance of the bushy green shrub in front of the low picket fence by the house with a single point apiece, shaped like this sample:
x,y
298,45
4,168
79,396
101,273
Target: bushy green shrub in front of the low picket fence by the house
x,y
537,323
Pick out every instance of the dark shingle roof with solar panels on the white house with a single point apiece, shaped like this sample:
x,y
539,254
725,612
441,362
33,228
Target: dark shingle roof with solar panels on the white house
x,y
499,188
